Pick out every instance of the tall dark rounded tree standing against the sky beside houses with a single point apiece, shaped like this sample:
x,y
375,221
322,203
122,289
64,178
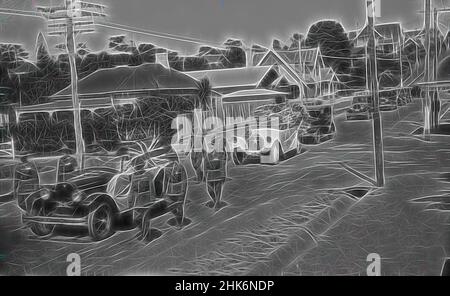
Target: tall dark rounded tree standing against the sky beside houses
x,y
333,42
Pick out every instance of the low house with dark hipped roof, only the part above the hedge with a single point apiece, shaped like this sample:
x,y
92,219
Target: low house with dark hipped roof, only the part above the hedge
x,y
123,85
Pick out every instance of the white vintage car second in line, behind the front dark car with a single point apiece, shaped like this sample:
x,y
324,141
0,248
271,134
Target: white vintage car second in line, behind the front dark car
x,y
270,144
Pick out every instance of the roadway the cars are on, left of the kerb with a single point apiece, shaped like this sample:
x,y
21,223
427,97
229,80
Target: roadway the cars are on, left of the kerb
x,y
268,205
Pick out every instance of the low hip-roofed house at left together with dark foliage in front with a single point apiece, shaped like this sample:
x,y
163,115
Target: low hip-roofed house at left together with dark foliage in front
x,y
125,103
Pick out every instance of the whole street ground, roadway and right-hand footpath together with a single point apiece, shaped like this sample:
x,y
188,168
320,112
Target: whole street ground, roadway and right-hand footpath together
x,y
269,205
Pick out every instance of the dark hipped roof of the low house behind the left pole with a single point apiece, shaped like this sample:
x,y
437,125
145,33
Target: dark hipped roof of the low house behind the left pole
x,y
130,79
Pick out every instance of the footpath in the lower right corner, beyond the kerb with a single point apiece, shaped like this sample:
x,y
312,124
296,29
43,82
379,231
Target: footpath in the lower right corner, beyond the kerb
x,y
410,238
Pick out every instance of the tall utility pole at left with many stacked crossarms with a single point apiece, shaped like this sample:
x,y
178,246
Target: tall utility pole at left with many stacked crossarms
x,y
72,18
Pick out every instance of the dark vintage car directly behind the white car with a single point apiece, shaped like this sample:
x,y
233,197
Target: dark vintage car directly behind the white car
x,y
319,128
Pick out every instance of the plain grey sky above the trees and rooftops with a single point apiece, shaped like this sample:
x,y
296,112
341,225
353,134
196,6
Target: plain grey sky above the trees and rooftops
x,y
255,21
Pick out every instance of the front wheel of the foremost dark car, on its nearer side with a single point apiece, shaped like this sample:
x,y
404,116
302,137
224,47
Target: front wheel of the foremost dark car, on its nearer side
x,y
100,222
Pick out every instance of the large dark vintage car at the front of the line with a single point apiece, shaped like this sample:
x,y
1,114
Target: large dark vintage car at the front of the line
x,y
103,199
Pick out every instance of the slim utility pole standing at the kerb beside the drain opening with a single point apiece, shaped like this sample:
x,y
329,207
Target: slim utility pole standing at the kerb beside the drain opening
x,y
372,79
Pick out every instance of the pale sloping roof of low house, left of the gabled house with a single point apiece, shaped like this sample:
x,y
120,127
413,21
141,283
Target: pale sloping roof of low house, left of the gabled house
x,y
222,78
